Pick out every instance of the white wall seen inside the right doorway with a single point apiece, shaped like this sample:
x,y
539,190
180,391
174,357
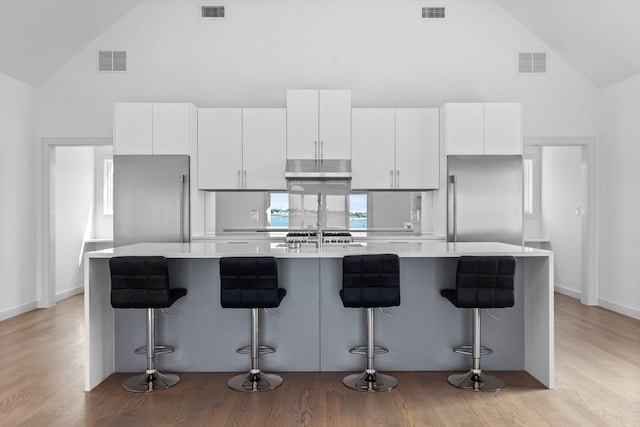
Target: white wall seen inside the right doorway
x,y
561,191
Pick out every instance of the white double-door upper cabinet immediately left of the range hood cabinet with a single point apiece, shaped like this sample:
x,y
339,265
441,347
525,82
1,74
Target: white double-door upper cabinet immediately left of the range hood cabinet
x,y
241,149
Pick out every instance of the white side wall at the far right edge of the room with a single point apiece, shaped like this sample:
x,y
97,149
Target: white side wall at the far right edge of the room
x,y
619,188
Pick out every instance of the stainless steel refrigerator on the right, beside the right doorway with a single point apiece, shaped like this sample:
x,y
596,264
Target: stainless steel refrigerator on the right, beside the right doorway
x,y
485,199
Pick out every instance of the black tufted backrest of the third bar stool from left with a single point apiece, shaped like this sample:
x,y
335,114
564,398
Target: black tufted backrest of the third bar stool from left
x,y
370,281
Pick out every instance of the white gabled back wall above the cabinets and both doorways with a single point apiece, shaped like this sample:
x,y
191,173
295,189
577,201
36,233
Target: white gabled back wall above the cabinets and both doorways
x,y
383,51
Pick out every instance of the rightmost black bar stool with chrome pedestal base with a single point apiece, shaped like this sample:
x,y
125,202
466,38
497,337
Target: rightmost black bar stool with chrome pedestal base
x,y
481,282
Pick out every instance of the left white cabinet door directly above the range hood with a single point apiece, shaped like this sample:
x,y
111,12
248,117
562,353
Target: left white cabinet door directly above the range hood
x,y
302,124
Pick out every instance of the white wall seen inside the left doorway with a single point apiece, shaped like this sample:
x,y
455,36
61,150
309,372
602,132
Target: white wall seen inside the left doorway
x,y
74,173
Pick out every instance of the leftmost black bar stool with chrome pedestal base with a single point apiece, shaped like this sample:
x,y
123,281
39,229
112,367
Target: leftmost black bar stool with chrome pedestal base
x,y
143,282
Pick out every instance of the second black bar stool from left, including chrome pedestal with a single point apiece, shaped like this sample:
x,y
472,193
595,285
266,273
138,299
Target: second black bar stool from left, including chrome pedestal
x,y
251,282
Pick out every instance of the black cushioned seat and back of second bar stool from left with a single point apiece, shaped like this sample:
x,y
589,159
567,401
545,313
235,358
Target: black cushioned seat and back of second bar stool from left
x,y
249,283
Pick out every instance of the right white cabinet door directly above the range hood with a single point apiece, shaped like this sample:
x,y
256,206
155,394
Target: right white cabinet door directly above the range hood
x,y
335,124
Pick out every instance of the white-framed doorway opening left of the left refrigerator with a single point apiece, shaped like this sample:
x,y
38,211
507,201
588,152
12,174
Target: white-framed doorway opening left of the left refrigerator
x,y
73,215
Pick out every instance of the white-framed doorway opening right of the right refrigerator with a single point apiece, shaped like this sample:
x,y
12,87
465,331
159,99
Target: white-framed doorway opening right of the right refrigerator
x,y
562,214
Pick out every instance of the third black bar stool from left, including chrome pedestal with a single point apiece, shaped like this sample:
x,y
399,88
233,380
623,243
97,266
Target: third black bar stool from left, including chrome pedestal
x,y
370,281
